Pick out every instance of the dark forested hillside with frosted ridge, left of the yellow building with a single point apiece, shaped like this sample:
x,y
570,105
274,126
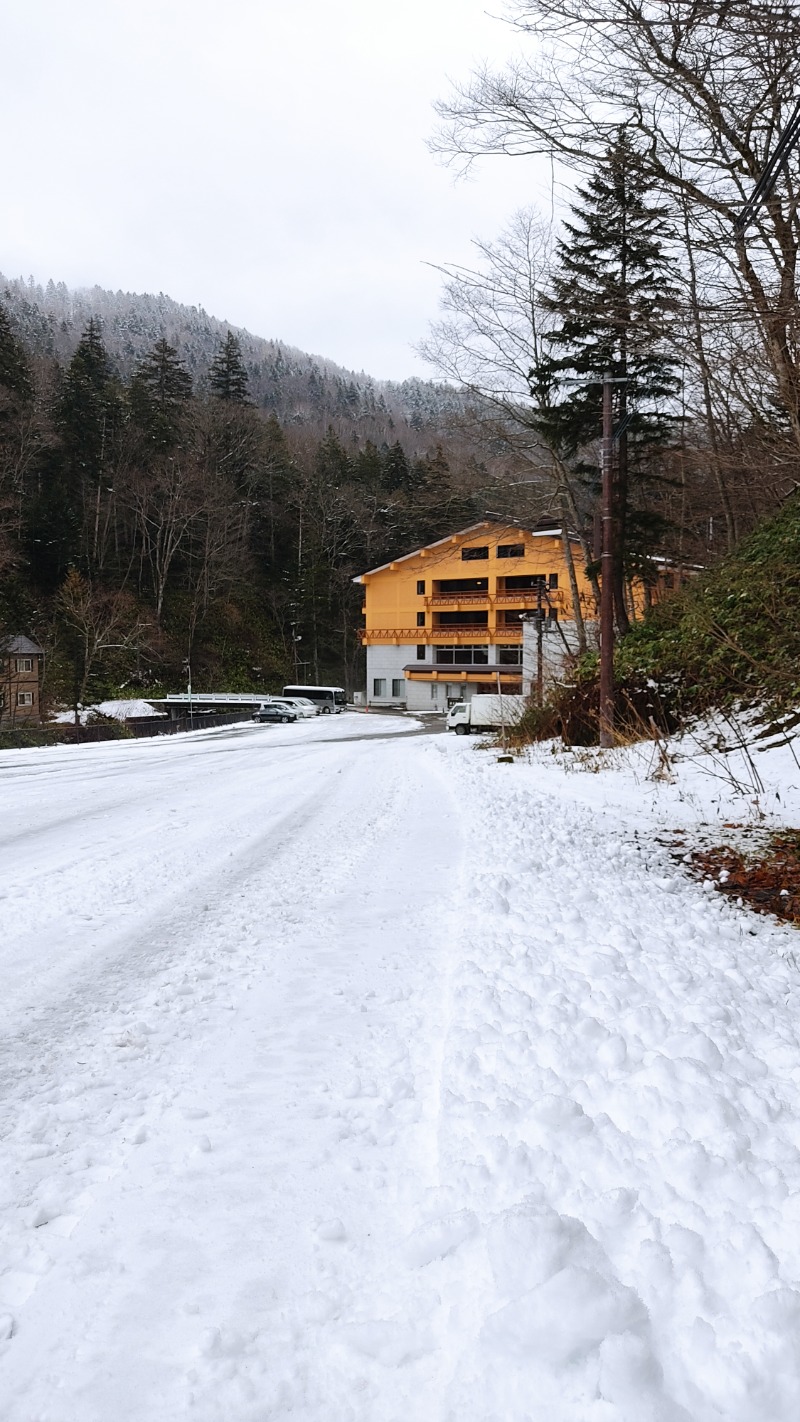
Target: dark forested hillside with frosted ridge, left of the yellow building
x,y
177,496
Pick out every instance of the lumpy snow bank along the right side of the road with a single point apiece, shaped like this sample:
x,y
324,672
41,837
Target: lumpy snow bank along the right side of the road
x,y
620,1117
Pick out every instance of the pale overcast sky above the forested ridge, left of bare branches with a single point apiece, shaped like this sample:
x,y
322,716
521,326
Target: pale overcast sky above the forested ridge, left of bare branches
x,y
262,159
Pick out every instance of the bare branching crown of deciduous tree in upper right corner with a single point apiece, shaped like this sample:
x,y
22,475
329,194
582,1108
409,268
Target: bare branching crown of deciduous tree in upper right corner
x,y
707,89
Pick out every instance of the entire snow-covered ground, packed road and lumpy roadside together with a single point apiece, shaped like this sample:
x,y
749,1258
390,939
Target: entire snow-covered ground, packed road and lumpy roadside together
x,y
356,1077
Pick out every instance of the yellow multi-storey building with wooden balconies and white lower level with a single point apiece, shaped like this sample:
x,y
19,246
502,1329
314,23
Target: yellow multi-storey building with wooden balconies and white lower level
x,y
447,621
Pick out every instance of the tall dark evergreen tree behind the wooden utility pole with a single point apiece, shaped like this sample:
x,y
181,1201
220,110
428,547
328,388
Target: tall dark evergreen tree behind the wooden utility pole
x,y
613,296
